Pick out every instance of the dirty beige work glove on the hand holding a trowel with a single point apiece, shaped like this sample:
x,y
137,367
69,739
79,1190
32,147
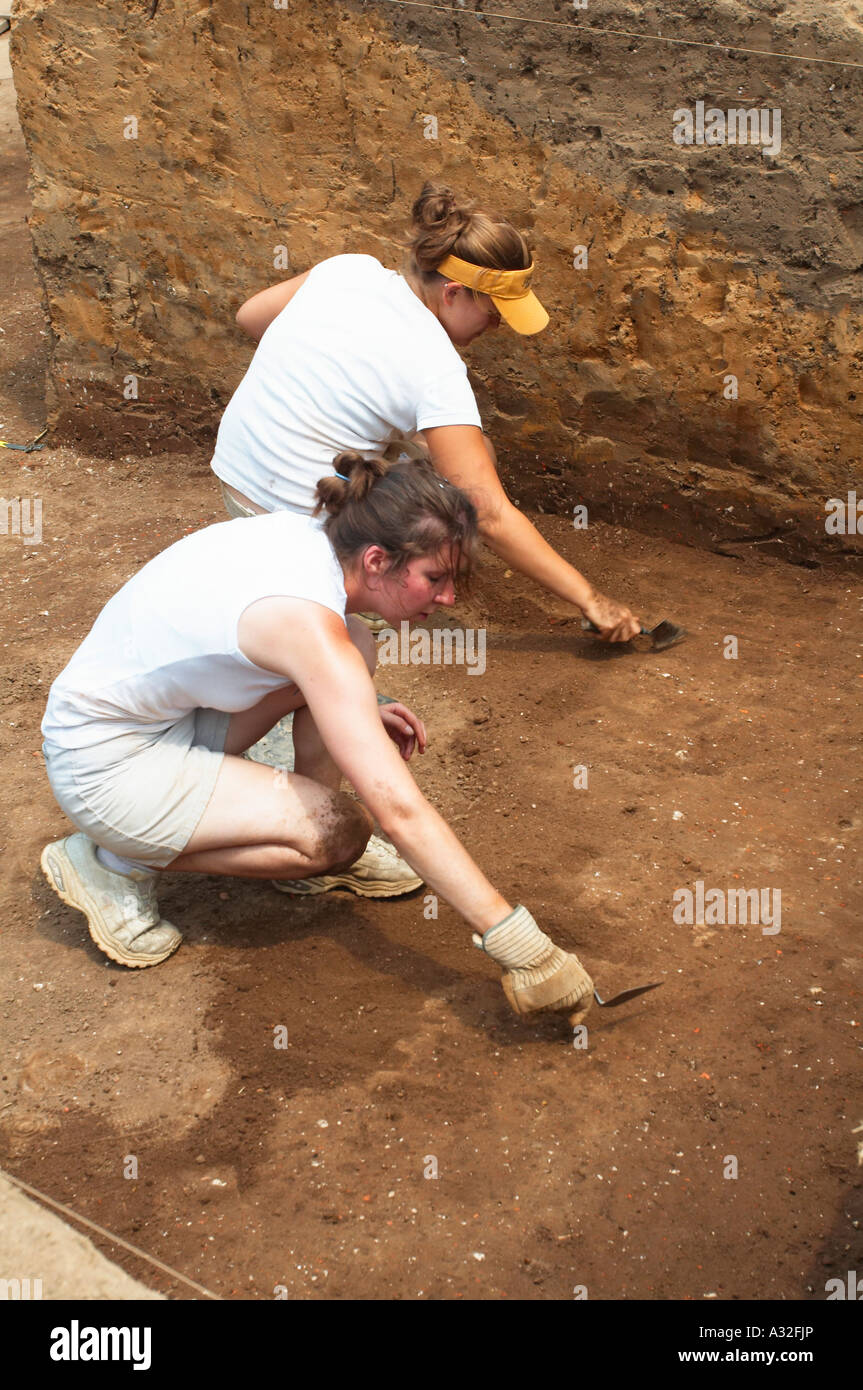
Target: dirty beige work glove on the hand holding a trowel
x,y
537,975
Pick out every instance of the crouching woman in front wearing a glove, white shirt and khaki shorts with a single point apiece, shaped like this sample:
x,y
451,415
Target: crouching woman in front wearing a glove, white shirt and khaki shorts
x,y
202,653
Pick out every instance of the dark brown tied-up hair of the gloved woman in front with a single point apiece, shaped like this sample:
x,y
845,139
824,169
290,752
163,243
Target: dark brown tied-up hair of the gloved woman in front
x,y
405,508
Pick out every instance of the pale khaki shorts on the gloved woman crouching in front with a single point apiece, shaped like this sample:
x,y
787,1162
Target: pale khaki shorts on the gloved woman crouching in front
x,y
142,796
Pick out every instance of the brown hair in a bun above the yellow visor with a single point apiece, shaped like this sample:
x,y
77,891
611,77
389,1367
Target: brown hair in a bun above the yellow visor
x,y
444,224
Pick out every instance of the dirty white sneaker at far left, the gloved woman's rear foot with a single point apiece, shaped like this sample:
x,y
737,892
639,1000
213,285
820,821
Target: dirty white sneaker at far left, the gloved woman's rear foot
x,y
123,914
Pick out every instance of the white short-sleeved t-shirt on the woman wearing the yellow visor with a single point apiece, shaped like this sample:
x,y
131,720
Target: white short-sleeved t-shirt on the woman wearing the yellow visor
x,y
355,361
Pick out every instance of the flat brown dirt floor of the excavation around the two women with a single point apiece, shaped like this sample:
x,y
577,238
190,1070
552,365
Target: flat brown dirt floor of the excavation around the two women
x,y
480,1156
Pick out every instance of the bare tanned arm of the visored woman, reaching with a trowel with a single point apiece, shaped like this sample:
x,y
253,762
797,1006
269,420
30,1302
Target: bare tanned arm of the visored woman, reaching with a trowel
x,y
459,454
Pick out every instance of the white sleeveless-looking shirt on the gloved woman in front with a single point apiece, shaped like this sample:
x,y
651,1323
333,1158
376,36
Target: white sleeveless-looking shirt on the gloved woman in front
x,y
166,643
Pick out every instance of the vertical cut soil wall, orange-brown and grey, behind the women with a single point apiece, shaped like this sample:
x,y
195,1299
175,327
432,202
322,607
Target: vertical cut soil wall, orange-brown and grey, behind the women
x,y
701,375
